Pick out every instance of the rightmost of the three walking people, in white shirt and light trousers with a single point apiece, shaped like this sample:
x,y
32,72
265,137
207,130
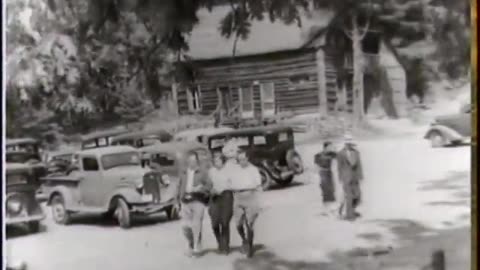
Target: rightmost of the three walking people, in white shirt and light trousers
x,y
246,185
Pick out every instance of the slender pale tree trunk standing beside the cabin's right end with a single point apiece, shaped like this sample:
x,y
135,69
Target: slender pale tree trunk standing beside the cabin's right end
x,y
358,93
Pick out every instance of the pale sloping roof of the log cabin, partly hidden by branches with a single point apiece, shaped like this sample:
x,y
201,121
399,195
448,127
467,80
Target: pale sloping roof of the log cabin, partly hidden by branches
x,y
265,37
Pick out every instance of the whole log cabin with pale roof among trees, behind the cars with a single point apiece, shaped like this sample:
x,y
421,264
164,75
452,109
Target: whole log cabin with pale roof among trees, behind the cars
x,y
285,68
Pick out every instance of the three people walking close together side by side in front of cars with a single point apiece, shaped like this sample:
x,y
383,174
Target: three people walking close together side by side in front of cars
x,y
229,189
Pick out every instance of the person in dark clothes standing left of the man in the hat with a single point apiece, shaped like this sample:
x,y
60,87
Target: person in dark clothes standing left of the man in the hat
x,y
324,161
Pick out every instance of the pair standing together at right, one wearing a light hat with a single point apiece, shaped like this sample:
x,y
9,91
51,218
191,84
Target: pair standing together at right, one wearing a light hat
x,y
340,176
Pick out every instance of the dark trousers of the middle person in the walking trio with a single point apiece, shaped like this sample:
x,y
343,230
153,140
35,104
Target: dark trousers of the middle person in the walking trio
x,y
221,211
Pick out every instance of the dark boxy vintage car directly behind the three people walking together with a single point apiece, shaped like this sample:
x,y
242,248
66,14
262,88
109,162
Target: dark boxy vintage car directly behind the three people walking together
x,y
270,148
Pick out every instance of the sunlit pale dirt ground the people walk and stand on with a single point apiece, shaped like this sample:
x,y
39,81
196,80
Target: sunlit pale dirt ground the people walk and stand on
x,y
409,190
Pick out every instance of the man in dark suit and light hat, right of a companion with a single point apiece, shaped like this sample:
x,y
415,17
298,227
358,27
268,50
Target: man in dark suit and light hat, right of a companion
x,y
350,174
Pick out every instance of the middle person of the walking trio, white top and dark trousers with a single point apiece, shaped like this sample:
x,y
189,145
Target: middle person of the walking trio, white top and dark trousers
x,y
221,203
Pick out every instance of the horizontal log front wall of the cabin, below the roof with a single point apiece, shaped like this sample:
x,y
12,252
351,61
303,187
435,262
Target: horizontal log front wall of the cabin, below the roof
x,y
251,71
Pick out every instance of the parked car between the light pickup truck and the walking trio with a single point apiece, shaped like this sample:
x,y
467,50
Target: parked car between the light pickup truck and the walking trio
x,y
169,160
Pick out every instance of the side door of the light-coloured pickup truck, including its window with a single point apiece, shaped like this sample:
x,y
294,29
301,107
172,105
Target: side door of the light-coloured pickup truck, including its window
x,y
91,184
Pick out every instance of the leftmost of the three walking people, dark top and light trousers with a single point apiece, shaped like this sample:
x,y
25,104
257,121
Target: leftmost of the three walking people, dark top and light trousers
x,y
194,193
